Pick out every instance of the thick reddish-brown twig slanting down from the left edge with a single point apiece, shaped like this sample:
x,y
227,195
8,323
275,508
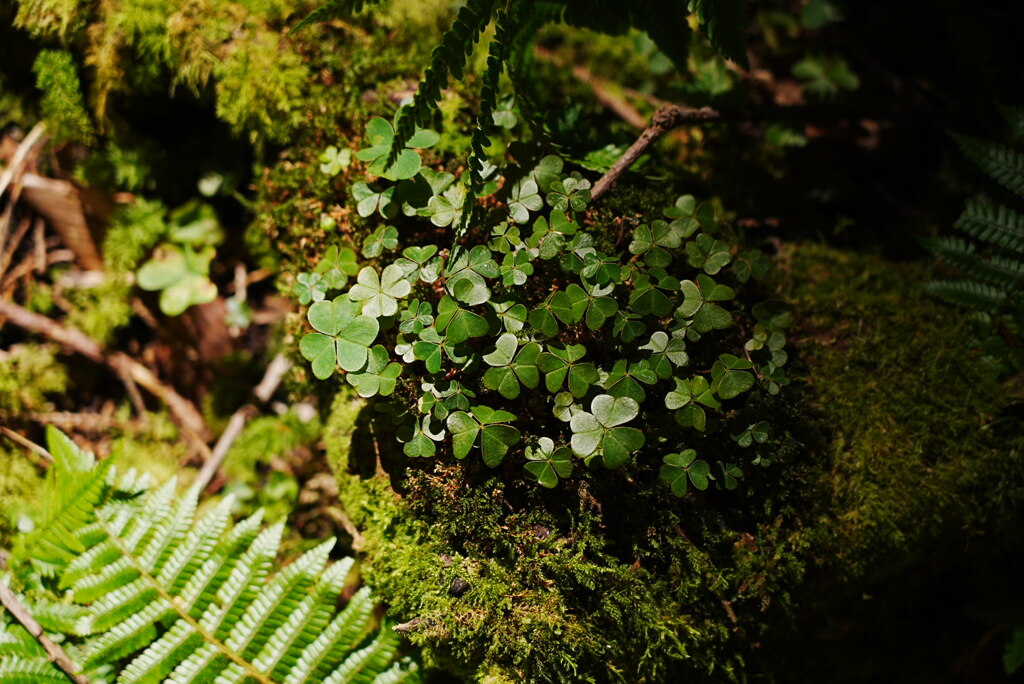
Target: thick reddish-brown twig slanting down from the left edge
x,y
182,409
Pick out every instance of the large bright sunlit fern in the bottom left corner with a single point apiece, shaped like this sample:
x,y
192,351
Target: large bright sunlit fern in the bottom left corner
x,y
136,582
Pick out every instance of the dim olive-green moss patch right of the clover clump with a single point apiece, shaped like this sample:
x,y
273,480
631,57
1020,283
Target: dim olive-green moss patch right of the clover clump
x,y
915,450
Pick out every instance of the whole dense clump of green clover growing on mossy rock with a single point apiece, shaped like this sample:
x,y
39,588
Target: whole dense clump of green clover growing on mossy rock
x,y
534,341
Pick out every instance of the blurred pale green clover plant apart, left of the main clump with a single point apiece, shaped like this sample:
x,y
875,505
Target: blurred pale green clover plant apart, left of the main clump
x,y
180,269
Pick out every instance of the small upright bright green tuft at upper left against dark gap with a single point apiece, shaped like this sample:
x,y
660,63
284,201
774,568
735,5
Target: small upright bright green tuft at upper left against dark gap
x,y
58,78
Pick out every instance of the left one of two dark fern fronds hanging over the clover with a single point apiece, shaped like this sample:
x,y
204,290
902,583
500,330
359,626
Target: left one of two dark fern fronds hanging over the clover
x,y
449,58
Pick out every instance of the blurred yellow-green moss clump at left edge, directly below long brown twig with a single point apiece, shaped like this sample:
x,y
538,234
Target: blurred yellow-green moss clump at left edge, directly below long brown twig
x,y
28,375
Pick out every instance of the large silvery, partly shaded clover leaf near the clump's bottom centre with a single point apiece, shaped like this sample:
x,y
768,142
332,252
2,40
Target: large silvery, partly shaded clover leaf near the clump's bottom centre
x,y
600,432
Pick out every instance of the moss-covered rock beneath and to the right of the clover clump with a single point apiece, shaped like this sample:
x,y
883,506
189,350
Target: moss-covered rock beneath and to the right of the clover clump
x,y
499,581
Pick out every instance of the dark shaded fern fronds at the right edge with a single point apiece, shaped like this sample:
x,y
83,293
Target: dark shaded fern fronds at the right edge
x,y
993,260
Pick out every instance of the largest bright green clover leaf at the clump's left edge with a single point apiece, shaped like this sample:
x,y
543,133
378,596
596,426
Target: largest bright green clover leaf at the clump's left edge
x,y
343,336
